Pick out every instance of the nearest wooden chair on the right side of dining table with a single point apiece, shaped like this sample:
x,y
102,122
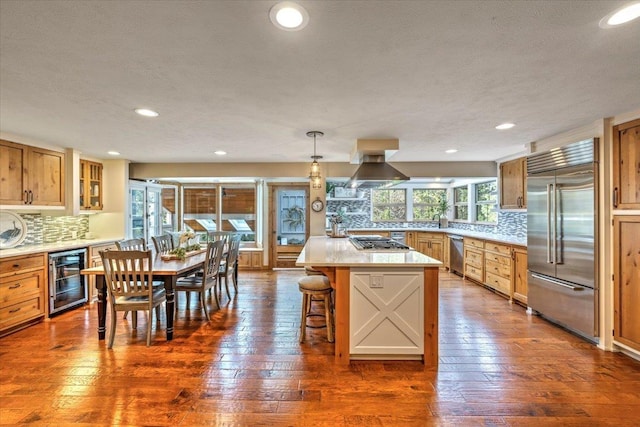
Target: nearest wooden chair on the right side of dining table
x,y
206,281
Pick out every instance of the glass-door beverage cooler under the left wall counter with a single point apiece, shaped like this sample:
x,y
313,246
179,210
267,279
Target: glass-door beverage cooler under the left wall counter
x,y
67,287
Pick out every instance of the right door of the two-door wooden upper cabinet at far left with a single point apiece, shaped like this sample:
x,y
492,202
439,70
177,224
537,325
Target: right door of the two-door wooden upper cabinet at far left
x,y
46,177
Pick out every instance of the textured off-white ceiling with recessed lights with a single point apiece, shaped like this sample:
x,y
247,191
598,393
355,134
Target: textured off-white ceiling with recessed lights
x,y
434,74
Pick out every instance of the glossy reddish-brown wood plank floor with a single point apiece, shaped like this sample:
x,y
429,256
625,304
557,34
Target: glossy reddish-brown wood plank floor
x,y
498,366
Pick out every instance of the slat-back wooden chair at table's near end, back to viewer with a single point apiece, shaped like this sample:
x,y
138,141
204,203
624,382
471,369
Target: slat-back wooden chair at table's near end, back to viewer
x,y
129,279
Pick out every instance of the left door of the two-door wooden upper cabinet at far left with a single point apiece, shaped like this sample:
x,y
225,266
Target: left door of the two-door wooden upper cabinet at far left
x,y
12,177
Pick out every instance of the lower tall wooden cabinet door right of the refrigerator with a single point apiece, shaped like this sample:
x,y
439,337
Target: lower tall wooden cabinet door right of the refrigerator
x,y
626,280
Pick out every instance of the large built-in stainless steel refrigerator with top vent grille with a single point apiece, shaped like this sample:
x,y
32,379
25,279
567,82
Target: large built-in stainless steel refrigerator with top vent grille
x,y
561,236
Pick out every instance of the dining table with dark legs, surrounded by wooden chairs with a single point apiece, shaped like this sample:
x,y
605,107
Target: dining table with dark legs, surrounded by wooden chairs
x,y
164,269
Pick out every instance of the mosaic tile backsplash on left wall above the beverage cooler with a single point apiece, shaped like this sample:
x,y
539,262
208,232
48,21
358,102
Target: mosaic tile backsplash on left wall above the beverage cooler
x,y
50,229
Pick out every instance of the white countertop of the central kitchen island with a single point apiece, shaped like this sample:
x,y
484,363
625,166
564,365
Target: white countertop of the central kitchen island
x,y
320,251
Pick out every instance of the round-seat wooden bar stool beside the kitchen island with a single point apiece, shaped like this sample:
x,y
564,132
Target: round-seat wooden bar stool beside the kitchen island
x,y
318,286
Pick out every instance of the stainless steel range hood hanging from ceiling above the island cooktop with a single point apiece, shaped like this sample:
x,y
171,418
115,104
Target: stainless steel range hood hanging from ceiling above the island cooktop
x,y
374,171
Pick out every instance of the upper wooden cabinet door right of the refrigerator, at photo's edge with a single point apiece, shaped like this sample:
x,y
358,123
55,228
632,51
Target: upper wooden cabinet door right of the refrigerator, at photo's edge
x,y
626,165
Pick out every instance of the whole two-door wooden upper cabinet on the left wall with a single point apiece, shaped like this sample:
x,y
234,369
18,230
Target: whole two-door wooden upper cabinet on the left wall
x,y
31,175
